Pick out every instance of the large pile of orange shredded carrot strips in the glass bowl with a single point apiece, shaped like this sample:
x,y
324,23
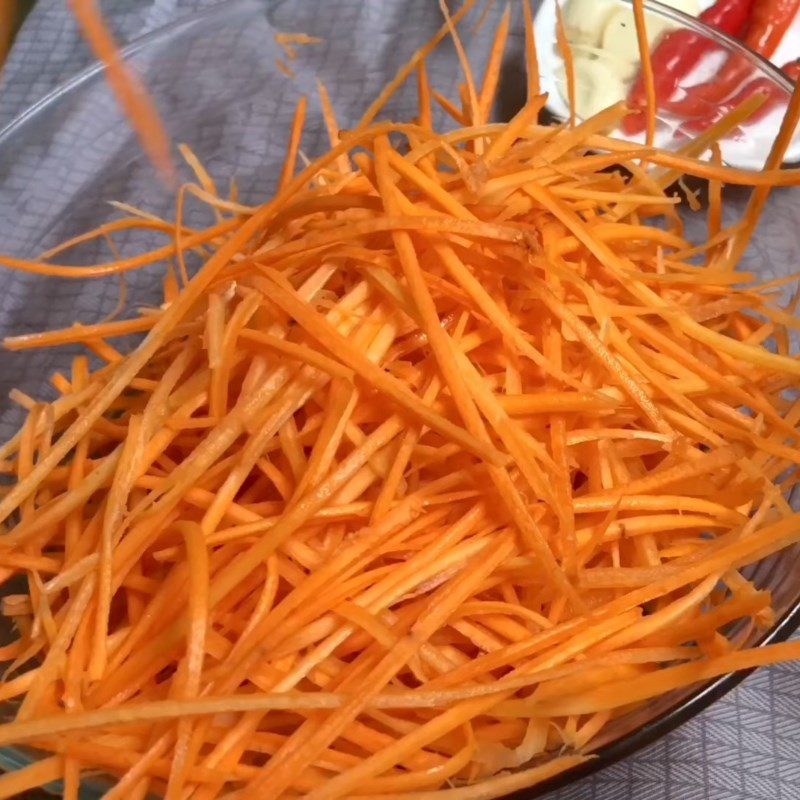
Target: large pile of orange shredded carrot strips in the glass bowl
x,y
450,455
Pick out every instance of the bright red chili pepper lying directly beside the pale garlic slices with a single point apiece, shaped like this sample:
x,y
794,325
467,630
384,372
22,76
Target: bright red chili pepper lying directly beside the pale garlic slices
x,y
679,52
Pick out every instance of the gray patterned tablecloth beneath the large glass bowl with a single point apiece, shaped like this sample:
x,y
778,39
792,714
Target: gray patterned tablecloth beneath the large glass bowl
x,y
747,745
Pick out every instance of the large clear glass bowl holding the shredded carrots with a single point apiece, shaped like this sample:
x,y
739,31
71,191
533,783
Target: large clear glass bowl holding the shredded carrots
x,y
215,79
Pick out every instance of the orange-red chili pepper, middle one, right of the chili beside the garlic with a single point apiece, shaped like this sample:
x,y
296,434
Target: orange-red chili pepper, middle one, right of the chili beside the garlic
x,y
769,22
